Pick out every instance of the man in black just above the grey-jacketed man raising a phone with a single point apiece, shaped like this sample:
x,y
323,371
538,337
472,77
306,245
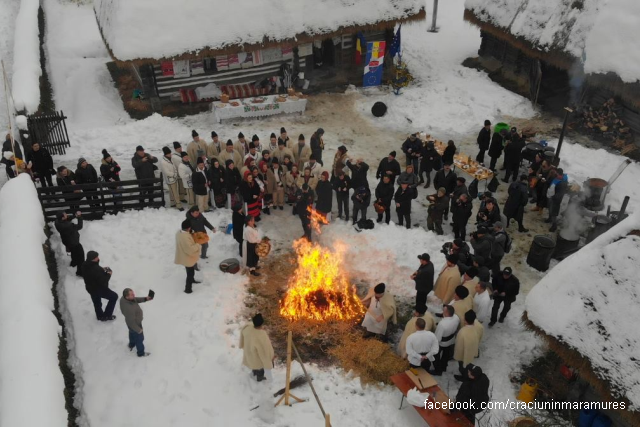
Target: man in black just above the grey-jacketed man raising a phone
x,y
96,281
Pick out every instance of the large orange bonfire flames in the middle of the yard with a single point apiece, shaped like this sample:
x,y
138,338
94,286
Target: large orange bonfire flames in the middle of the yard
x,y
319,289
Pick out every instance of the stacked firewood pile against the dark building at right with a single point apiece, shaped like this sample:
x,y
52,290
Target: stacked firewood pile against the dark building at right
x,y
606,121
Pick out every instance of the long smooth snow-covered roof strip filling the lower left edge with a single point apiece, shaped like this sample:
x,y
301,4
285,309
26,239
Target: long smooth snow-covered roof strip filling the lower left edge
x,y
31,385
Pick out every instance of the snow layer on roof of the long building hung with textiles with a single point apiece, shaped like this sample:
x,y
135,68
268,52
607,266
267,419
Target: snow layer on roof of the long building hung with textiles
x,y
135,29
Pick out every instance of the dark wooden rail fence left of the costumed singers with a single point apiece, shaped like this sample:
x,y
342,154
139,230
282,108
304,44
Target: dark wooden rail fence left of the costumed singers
x,y
96,200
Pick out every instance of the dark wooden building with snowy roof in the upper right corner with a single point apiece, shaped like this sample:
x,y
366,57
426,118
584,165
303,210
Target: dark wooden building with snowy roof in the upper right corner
x,y
563,52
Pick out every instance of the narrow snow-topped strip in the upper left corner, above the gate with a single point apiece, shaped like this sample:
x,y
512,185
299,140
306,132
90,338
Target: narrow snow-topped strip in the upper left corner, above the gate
x,y
26,58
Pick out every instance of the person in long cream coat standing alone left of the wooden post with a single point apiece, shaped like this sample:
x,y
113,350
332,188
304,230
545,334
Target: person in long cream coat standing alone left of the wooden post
x,y
257,351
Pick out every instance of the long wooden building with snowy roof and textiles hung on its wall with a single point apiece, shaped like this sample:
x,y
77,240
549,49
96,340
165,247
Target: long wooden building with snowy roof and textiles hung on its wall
x,y
170,49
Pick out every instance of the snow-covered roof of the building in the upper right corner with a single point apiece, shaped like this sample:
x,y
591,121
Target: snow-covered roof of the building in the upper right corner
x,y
600,33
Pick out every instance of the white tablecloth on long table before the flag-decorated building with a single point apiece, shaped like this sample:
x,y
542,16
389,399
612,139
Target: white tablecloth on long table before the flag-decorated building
x,y
249,109
